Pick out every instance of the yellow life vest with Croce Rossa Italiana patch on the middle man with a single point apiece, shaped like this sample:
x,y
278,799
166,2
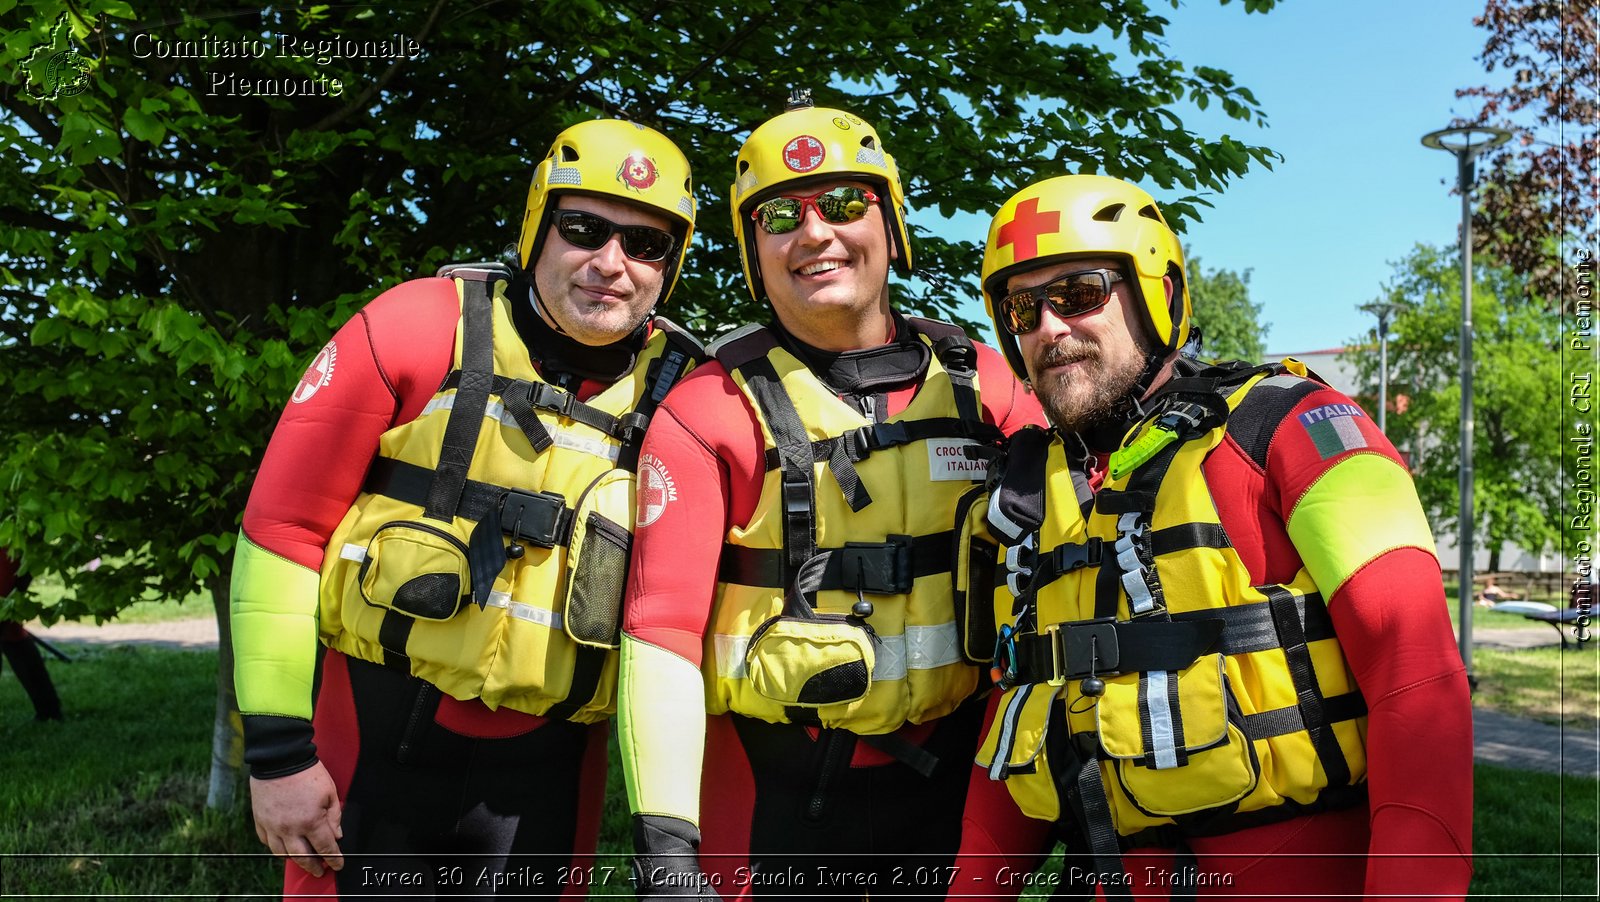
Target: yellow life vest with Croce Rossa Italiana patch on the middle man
x,y
834,604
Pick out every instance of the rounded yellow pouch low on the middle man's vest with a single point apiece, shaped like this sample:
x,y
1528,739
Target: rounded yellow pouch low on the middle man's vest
x,y
810,663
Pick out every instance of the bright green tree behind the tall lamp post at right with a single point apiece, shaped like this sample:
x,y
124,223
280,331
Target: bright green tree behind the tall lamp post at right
x,y
1518,450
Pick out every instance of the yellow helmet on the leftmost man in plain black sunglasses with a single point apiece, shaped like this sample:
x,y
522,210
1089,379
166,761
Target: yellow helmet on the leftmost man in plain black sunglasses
x,y
617,159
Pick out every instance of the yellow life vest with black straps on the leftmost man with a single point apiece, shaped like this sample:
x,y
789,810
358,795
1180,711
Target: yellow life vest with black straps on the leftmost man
x,y
420,577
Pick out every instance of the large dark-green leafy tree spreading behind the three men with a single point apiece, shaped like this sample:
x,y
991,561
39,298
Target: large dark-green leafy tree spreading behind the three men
x,y
183,234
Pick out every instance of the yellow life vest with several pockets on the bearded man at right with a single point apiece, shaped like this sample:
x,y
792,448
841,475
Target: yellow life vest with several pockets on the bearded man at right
x,y
1145,674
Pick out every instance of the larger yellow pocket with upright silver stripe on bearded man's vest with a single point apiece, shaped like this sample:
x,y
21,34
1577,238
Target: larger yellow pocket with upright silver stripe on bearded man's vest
x,y
1175,740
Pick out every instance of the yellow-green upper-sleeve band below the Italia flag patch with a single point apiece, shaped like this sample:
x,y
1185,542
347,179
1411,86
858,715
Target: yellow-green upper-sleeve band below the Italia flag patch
x,y
1362,508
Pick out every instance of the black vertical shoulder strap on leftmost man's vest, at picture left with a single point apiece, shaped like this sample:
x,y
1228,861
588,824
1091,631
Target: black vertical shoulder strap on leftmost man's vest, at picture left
x,y
473,396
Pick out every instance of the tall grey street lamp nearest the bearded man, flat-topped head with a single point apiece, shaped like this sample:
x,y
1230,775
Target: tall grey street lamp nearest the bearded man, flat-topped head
x,y
1466,145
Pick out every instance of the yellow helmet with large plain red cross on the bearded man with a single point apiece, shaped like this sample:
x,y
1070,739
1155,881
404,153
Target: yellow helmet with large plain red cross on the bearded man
x,y
1076,217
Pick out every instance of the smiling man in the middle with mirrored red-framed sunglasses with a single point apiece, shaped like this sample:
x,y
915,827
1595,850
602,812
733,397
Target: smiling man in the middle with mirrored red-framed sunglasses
x,y
793,572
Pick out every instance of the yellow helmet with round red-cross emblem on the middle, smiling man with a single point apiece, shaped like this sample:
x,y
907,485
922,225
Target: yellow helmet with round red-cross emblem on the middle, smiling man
x,y
802,145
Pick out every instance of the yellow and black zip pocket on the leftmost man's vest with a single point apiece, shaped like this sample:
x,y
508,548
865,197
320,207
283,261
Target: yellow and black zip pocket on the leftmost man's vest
x,y
417,569
